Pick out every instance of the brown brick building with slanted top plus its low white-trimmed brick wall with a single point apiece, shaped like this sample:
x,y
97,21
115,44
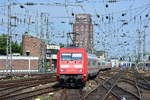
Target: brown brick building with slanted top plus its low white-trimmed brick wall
x,y
32,55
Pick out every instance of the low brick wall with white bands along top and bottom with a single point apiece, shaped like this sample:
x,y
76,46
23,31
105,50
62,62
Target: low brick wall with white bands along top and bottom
x,y
20,64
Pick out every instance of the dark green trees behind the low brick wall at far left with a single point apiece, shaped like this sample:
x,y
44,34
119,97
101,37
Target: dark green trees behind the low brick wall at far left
x,y
16,47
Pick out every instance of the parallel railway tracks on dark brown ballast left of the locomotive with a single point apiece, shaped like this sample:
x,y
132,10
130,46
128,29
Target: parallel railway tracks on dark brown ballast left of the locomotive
x,y
13,88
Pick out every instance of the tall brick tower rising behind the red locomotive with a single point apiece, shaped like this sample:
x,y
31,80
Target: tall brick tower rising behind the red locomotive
x,y
84,28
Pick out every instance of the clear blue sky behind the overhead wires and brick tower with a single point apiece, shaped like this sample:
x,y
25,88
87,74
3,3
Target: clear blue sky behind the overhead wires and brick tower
x,y
120,28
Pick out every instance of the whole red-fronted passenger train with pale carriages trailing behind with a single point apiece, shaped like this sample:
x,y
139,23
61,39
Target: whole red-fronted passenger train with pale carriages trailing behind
x,y
75,65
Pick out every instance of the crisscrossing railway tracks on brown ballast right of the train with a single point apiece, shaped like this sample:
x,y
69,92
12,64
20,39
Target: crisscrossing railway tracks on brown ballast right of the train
x,y
109,88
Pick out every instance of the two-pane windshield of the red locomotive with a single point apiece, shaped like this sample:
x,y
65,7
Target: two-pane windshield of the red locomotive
x,y
71,56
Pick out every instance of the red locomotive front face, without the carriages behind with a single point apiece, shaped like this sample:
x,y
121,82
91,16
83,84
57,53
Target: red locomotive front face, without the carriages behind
x,y
71,64
